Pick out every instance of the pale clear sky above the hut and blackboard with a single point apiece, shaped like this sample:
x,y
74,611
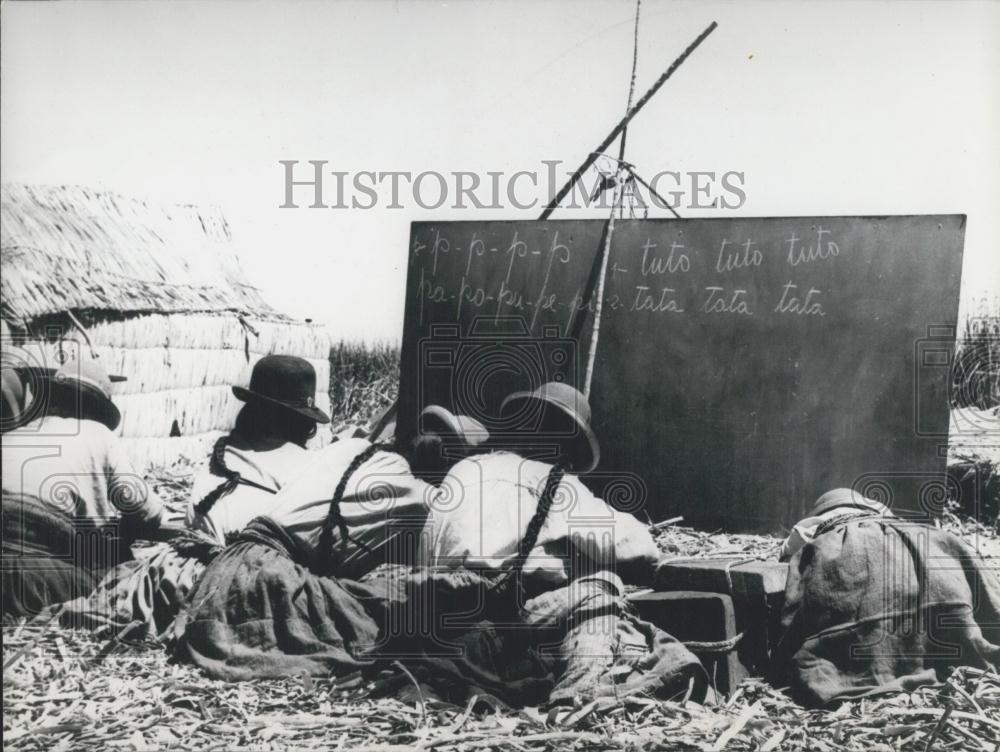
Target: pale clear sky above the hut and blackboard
x,y
827,108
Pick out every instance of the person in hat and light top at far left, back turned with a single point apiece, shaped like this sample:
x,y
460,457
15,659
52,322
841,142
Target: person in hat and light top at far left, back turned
x,y
63,472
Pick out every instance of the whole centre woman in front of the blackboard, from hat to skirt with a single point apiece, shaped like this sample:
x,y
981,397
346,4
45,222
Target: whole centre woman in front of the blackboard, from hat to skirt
x,y
521,572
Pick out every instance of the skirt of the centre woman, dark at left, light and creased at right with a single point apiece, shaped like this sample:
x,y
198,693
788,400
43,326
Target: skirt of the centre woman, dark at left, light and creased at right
x,y
462,635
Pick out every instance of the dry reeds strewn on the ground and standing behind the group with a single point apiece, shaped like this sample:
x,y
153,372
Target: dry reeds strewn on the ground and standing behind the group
x,y
66,691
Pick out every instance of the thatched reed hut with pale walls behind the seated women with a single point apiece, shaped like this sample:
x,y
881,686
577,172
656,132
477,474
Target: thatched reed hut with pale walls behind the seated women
x,y
157,293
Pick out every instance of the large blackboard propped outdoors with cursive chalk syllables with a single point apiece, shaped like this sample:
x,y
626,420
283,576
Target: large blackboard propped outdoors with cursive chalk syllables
x,y
744,366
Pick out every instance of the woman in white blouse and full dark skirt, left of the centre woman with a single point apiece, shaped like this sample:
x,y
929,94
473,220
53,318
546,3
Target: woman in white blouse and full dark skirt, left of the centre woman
x,y
303,588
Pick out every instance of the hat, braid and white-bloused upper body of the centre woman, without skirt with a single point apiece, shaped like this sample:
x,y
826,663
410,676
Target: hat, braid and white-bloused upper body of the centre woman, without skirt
x,y
525,505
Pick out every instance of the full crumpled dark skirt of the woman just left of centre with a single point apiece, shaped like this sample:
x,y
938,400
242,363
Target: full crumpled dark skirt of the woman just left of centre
x,y
257,611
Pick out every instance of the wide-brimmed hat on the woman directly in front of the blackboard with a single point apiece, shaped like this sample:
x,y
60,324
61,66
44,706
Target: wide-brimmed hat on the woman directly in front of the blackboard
x,y
549,405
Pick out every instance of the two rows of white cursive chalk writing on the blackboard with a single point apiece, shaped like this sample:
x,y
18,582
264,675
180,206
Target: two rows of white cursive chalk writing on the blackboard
x,y
657,263
